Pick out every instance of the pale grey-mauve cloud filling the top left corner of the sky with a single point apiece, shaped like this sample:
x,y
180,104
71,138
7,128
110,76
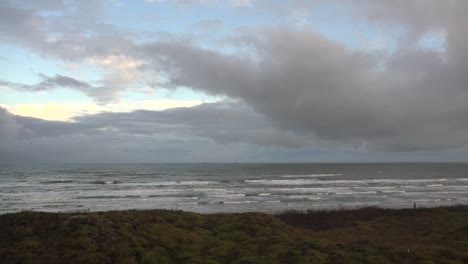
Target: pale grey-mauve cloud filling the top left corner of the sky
x,y
73,35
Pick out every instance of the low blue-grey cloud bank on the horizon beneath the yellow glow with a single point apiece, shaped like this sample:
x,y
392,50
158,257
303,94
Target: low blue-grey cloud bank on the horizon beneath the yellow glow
x,y
215,132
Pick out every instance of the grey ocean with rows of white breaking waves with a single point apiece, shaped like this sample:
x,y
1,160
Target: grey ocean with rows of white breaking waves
x,y
233,187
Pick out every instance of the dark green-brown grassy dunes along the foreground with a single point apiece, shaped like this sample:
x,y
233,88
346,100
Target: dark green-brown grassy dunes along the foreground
x,y
368,235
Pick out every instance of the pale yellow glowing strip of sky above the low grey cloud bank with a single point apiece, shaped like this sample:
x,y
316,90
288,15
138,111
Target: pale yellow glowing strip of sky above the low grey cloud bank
x,y
66,111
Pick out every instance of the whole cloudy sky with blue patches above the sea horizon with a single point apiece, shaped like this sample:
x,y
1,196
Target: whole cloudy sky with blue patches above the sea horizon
x,y
233,81
